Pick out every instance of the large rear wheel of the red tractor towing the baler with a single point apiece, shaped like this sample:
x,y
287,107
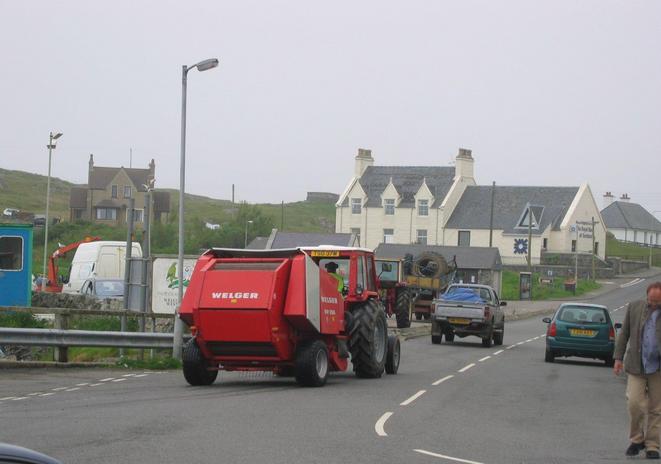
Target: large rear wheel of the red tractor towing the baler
x,y
368,339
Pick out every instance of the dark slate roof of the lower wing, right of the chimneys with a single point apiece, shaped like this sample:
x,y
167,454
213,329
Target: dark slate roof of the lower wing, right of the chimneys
x,y
473,210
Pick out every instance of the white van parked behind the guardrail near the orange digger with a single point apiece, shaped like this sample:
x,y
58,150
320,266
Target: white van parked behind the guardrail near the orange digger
x,y
98,259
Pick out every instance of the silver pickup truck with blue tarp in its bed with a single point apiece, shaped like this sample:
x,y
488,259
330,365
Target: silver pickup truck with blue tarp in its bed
x,y
467,309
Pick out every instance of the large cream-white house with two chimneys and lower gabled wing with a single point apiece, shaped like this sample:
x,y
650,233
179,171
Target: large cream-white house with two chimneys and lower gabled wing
x,y
443,206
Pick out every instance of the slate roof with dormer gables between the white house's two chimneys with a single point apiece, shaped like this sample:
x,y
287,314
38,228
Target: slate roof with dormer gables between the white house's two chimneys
x,y
407,180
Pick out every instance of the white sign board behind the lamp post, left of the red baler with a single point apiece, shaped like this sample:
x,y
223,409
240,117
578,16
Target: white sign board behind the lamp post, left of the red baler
x,y
165,283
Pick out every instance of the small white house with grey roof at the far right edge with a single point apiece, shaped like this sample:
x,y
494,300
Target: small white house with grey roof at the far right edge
x,y
630,222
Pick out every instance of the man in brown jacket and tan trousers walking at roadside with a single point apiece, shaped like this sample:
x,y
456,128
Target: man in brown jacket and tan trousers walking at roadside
x,y
641,330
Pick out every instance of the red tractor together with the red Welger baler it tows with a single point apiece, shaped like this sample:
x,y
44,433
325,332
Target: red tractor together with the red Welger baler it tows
x,y
301,312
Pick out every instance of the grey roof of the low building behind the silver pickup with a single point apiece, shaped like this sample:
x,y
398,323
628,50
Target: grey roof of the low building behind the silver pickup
x,y
467,257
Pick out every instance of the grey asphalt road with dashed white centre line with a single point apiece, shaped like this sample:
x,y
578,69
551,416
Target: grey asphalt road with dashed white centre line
x,y
450,403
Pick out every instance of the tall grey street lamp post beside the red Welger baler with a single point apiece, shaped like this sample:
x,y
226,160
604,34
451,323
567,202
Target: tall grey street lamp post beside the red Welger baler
x,y
178,323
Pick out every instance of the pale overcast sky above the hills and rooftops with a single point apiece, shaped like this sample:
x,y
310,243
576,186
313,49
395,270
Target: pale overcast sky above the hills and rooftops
x,y
543,92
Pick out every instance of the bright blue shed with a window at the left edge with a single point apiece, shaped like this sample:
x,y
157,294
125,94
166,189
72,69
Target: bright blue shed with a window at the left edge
x,y
15,264
